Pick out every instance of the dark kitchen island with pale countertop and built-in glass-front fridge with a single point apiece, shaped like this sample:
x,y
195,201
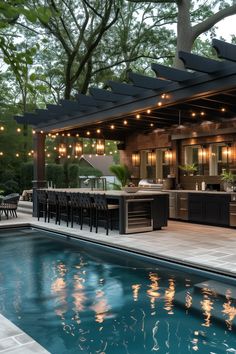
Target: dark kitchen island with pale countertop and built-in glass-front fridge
x,y
137,212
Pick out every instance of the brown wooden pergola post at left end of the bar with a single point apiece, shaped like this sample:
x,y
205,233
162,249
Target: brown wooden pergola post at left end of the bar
x,y
39,166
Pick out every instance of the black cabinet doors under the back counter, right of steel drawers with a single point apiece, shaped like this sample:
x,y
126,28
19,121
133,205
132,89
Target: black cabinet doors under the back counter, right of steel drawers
x,y
209,208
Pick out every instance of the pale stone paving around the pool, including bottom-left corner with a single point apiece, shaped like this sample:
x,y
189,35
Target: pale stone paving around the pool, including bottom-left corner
x,y
204,246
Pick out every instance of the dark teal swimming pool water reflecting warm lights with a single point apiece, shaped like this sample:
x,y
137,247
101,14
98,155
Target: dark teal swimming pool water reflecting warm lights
x,y
73,297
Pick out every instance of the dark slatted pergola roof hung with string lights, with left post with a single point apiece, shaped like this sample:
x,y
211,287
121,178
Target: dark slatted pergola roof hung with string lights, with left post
x,y
174,97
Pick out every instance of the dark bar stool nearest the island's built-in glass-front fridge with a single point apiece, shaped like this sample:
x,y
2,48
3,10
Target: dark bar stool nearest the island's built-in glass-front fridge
x,y
103,211
